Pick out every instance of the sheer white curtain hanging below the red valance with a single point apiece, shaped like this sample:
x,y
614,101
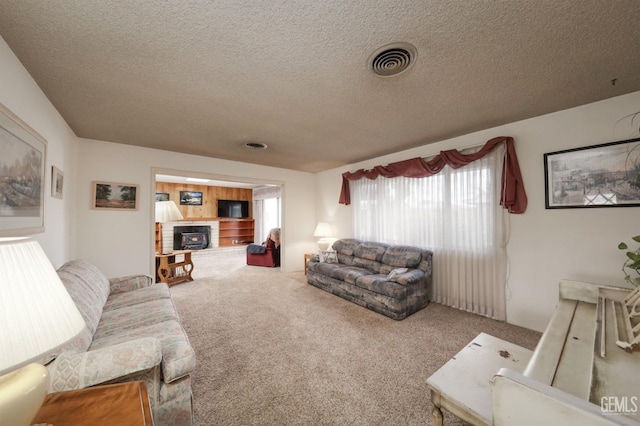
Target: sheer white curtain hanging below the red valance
x,y
455,213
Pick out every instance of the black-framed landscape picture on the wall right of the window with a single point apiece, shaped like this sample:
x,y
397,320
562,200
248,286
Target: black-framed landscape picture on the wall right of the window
x,y
605,175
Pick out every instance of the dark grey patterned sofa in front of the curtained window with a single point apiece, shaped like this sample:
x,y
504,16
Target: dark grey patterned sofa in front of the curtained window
x,y
392,280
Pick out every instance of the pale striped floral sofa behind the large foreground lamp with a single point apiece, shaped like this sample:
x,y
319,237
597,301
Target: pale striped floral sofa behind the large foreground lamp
x,y
132,333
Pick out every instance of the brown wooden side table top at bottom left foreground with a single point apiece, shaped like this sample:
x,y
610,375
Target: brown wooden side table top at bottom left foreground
x,y
122,404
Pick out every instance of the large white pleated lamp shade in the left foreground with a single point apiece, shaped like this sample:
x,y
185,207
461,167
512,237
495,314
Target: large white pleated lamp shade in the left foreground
x,y
37,315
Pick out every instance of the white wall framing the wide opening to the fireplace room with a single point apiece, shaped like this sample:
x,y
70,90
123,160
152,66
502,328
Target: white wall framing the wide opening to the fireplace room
x,y
122,242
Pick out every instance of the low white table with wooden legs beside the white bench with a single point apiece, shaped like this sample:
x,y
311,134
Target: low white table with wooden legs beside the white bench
x,y
462,386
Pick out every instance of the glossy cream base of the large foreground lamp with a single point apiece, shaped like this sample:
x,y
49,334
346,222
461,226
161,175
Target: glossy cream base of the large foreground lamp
x,y
22,393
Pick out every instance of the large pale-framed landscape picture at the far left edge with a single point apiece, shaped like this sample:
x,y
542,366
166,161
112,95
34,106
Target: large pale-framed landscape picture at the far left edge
x,y
22,176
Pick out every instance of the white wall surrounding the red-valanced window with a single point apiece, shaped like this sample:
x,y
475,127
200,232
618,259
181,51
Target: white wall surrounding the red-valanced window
x,y
545,245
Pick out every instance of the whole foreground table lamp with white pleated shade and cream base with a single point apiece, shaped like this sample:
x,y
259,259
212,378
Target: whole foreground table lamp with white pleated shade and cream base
x,y
37,316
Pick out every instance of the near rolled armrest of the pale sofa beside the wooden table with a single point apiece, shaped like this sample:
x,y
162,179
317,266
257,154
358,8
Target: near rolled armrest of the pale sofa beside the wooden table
x,y
78,370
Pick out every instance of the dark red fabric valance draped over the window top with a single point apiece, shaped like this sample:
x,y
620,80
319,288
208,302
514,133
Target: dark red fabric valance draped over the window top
x,y
512,197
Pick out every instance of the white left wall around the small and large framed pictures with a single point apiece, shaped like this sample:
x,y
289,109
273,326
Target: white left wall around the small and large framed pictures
x,y
20,93
